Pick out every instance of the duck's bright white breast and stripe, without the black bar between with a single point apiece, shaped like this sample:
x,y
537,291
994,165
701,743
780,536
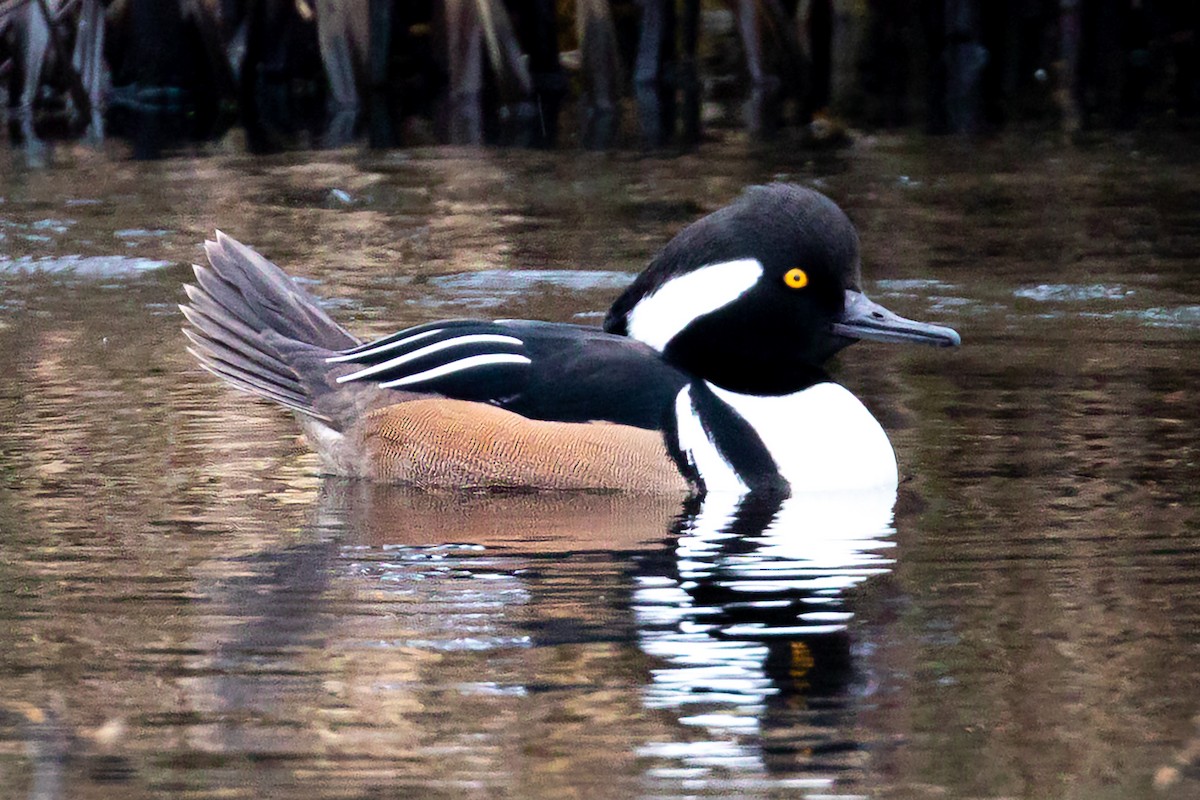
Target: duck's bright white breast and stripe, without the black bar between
x,y
823,440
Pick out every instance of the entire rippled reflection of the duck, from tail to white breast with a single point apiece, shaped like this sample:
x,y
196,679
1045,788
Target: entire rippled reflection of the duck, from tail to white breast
x,y
377,639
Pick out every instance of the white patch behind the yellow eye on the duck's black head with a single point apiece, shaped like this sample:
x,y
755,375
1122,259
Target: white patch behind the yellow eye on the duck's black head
x,y
659,317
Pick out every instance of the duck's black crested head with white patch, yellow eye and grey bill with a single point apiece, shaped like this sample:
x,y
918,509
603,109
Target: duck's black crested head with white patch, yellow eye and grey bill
x,y
758,296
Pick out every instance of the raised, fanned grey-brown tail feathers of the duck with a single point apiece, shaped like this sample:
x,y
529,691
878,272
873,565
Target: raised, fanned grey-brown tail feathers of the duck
x,y
250,322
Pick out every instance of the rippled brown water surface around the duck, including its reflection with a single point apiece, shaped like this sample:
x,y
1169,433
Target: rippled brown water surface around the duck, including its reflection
x,y
188,610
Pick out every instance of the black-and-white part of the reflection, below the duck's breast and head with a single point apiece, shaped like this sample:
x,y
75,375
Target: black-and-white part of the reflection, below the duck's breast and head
x,y
749,622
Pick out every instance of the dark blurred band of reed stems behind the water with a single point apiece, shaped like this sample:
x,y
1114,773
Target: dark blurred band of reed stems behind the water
x,y
596,74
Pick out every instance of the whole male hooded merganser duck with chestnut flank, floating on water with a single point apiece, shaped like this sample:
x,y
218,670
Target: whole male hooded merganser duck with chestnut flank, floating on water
x,y
707,376
